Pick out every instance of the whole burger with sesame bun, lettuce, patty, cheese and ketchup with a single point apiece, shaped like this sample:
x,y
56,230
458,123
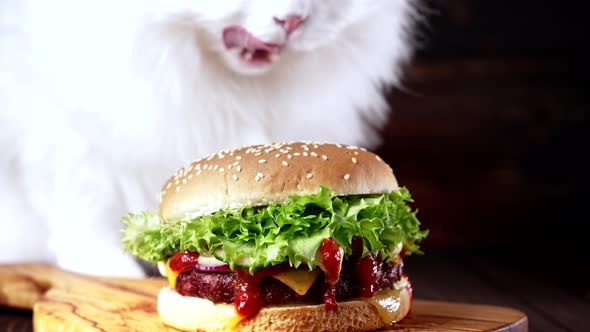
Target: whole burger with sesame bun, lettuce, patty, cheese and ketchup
x,y
297,236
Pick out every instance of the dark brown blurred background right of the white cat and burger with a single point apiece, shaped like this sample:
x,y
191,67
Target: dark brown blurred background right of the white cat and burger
x,y
488,134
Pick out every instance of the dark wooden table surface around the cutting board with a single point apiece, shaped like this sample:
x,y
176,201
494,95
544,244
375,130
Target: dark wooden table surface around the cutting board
x,y
484,279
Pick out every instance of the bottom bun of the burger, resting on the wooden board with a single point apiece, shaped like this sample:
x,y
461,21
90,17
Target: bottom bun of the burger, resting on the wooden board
x,y
195,314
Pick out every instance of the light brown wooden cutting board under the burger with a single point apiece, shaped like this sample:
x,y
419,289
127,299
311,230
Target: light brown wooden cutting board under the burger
x,y
64,301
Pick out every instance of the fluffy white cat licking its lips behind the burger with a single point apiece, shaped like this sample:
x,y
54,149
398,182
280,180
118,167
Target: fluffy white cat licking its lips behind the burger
x,y
101,100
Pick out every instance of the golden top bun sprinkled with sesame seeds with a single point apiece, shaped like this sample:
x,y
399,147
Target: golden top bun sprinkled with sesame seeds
x,y
260,174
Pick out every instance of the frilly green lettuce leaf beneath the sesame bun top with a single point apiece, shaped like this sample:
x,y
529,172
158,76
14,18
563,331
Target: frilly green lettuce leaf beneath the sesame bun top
x,y
291,231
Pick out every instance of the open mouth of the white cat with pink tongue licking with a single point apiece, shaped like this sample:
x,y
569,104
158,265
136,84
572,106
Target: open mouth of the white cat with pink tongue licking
x,y
251,50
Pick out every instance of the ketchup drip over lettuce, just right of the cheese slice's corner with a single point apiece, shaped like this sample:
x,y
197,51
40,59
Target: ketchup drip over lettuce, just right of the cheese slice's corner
x,y
331,257
